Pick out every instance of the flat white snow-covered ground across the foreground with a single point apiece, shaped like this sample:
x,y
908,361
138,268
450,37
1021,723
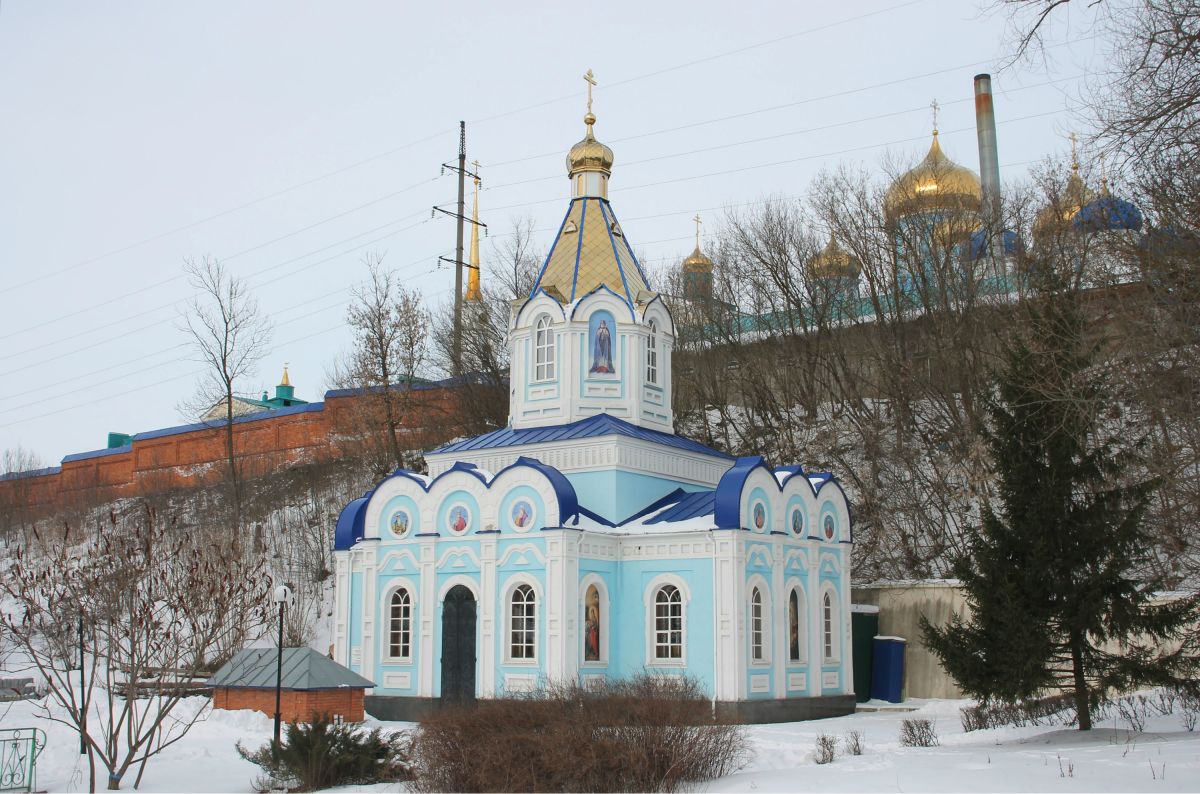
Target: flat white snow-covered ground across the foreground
x,y
1111,759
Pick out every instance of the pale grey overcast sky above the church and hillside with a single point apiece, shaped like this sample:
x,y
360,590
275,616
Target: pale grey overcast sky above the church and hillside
x,y
290,139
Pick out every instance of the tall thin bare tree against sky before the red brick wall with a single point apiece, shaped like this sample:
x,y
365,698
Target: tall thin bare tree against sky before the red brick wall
x,y
230,338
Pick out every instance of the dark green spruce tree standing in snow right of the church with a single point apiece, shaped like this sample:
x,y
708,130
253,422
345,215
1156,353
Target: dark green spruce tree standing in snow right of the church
x,y
1053,574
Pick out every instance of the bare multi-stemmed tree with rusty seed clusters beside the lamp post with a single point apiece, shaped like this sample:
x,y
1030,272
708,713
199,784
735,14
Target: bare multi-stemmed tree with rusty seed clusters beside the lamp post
x,y
134,612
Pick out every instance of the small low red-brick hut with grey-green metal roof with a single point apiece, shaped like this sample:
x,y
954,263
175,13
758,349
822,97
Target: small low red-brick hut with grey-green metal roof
x,y
311,685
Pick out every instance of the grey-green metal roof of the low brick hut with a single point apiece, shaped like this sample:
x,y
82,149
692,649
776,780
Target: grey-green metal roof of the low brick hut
x,y
304,669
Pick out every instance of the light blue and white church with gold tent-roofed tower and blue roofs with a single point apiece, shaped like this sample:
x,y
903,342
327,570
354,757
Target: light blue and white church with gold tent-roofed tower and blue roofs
x,y
586,540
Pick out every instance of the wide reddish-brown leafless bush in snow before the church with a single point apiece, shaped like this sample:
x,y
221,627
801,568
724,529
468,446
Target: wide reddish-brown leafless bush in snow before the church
x,y
645,735
